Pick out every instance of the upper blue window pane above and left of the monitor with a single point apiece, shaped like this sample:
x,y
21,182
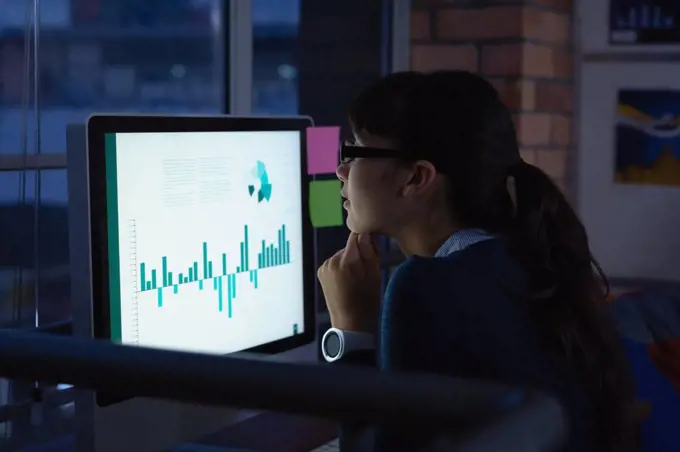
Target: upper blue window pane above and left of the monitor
x,y
111,55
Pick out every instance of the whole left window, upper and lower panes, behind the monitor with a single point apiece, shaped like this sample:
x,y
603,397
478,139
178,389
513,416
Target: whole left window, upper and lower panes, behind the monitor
x,y
166,56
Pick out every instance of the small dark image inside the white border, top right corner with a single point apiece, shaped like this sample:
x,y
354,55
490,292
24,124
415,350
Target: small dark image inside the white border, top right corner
x,y
644,22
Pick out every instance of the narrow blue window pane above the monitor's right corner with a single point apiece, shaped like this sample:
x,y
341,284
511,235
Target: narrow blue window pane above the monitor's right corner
x,y
275,77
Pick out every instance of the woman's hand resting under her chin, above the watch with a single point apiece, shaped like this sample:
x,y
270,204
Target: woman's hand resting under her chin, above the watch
x,y
350,280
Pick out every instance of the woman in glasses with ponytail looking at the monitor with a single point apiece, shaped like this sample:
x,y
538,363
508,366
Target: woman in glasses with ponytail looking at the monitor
x,y
499,283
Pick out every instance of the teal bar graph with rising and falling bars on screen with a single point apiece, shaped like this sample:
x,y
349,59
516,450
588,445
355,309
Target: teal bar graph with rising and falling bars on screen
x,y
224,281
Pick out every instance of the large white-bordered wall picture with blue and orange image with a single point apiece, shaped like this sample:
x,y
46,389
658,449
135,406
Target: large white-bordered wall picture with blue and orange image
x,y
628,170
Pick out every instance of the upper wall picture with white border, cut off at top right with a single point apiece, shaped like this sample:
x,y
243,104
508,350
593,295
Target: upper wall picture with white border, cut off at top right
x,y
629,25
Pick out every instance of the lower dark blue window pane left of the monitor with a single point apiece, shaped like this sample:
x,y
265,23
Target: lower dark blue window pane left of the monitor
x,y
18,273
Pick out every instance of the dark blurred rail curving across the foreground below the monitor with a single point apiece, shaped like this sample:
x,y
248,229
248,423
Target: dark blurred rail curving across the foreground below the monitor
x,y
473,414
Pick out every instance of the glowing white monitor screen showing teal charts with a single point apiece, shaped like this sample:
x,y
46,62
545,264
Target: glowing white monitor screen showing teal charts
x,y
205,238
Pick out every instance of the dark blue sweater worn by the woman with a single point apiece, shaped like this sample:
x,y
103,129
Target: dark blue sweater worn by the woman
x,y
463,315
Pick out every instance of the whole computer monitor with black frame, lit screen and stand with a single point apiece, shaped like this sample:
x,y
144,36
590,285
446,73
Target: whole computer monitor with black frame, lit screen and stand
x,y
199,240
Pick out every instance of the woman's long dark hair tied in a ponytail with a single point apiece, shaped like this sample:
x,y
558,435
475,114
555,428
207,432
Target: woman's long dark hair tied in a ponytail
x,y
457,120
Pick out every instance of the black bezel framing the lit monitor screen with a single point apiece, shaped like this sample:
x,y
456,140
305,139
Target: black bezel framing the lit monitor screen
x,y
100,125
